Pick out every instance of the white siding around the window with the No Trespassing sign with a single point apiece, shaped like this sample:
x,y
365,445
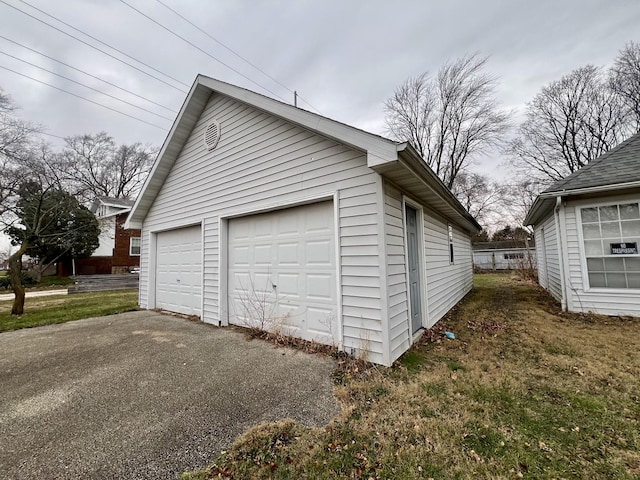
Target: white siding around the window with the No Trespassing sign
x,y
581,297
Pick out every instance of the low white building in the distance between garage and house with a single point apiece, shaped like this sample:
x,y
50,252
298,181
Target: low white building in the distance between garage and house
x,y
504,255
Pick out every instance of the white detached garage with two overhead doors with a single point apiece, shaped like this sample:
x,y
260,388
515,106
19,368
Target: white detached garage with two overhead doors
x,y
259,213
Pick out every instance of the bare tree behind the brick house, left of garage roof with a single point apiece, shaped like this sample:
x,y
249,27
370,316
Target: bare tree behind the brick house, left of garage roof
x,y
95,166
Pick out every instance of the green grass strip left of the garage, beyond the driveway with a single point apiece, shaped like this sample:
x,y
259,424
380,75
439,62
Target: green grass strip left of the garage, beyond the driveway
x,y
64,308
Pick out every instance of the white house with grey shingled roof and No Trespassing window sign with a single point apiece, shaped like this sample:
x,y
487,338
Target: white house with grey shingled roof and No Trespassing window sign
x,y
587,229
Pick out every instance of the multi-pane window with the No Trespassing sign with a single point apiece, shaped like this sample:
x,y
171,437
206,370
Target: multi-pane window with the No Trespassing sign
x,y
611,235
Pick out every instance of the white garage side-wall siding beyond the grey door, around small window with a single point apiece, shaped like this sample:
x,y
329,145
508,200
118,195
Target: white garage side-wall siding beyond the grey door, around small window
x,y
447,283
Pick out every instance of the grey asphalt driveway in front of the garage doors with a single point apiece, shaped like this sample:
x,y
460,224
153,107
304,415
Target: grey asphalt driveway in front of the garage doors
x,y
144,395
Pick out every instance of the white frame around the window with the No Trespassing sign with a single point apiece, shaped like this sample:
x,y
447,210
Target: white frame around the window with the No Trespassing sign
x,y
586,284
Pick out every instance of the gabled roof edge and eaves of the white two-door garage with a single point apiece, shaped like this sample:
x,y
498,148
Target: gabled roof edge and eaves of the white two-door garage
x,y
391,159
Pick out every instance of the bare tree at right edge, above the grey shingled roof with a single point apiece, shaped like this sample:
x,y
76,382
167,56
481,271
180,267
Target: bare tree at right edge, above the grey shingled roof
x,y
625,81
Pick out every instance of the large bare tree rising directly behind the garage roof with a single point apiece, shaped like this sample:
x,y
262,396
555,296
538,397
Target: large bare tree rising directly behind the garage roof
x,y
450,118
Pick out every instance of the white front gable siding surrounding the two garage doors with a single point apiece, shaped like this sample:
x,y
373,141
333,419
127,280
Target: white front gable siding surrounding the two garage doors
x,y
261,163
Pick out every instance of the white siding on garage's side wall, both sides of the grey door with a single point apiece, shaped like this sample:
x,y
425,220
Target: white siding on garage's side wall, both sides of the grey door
x,y
446,284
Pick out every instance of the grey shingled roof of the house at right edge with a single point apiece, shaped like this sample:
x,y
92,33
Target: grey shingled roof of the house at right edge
x,y
616,170
